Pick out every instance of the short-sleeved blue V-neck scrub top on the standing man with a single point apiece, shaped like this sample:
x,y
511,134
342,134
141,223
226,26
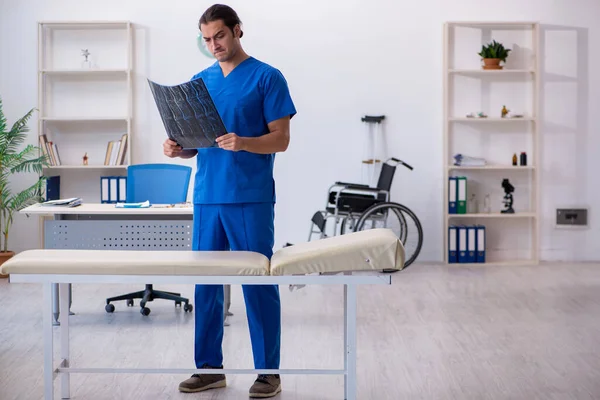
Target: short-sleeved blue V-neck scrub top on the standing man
x,y
251,96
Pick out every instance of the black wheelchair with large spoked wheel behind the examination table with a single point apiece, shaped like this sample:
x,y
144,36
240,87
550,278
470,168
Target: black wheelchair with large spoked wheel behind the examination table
x,y
354,207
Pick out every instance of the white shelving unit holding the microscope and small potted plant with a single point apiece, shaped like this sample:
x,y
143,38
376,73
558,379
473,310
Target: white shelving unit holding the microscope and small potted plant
x,y
511,239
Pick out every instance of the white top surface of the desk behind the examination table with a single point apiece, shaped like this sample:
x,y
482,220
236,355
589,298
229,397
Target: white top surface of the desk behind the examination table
x,y
99,208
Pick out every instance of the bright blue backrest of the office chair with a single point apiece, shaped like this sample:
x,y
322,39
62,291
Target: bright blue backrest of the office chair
x,y
158,183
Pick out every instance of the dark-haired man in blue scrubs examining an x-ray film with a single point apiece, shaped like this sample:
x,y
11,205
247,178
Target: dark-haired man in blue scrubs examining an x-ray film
x,y
234,194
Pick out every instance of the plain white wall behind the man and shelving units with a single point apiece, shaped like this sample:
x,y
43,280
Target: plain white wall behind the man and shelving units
x,y
344,59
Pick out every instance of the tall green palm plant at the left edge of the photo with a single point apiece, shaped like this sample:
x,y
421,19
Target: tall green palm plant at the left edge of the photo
x,y
15,159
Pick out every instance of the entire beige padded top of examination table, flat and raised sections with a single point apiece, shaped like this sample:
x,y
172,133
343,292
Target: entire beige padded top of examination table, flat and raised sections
x,y
374,249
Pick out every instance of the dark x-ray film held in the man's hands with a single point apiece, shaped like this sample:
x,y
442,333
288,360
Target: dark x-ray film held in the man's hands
x,y
188,113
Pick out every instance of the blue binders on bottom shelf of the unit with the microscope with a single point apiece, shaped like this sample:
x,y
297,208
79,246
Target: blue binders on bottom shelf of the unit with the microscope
x,y
466,244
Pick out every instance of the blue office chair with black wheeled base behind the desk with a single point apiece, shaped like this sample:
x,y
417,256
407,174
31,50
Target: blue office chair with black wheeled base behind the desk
x,y
159,184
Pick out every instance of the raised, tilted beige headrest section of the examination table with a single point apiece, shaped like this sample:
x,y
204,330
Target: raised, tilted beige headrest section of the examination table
x,y
373,249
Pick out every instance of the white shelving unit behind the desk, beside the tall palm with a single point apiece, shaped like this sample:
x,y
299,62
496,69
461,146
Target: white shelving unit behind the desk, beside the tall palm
x,y
84,106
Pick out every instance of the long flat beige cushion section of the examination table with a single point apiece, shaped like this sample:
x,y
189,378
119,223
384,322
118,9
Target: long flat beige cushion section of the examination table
x,y
134,262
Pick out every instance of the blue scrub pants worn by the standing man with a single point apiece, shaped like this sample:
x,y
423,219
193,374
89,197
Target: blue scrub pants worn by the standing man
x,y
236,227
